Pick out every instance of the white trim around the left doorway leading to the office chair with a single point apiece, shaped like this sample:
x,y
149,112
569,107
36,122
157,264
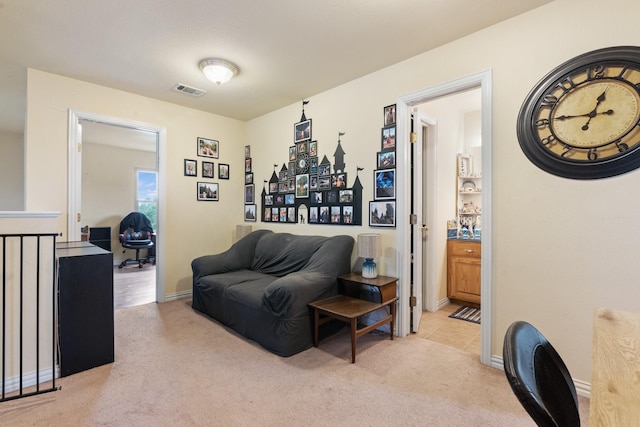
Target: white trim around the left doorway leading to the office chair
x,y
161,132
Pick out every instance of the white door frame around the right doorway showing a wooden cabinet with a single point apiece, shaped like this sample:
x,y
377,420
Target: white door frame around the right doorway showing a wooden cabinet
x,y
483,80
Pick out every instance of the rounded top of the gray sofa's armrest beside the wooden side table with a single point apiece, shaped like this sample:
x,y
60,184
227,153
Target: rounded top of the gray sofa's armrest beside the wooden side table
x,y
288,296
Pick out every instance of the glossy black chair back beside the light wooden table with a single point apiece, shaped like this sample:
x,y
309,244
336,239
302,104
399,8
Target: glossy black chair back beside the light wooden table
x,y
539,378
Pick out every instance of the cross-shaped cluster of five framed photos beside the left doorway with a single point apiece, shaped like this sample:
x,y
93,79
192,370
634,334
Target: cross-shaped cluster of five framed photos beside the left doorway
x,y
207,191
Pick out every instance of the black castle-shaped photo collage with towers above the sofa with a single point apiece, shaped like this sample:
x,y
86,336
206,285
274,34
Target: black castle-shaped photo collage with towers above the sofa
x,y
306,190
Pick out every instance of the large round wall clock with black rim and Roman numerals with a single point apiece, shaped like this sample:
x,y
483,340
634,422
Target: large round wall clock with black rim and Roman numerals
x,y
581,120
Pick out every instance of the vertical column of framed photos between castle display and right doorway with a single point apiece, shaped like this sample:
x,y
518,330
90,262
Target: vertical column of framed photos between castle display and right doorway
x,y
382,210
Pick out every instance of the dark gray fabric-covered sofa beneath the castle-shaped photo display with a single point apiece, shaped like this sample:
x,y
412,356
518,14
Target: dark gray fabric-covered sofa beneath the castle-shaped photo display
x,y
260,287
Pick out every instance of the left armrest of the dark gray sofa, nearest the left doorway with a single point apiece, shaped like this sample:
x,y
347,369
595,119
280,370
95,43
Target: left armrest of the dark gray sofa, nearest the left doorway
x,y
237,257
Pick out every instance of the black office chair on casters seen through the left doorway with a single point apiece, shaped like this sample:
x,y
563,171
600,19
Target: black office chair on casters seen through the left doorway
x,y
136,233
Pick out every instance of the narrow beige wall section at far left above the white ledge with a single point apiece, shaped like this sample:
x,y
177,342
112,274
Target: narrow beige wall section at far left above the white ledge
x,y
11,172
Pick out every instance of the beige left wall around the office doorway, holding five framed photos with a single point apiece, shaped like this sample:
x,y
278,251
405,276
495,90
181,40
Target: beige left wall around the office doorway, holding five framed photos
x,y
207,225
